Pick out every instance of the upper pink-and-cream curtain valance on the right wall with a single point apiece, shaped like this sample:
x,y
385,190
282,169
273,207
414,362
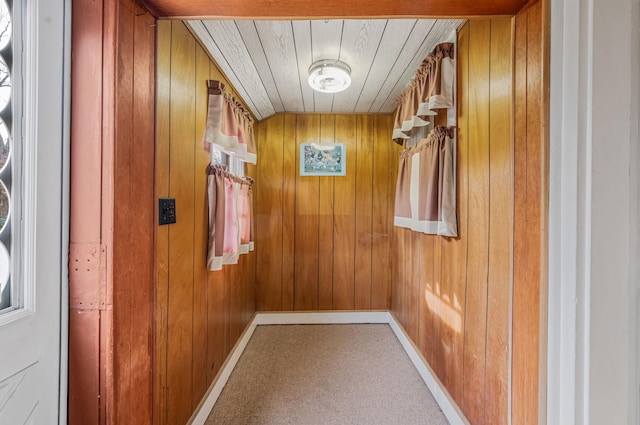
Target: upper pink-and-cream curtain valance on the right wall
x,y
431,88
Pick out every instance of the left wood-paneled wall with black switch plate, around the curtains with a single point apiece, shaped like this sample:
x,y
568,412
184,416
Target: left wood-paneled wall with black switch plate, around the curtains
x,y
199,314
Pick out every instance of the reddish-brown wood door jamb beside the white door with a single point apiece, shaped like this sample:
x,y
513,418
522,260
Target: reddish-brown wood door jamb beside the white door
x,y
112,210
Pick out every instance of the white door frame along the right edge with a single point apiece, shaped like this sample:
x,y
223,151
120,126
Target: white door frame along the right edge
x,y
593,369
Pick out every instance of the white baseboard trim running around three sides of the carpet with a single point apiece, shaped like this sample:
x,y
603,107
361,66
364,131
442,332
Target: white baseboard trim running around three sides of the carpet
x,y
449,408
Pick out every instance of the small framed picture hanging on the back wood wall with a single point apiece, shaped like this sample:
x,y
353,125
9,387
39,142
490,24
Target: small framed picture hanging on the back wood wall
x,y
323,159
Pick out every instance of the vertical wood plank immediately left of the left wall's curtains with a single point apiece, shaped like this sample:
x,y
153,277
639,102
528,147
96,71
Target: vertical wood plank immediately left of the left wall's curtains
x,y
201,230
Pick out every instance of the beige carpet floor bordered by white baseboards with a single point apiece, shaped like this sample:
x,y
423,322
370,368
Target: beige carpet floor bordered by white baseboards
x,y
325,374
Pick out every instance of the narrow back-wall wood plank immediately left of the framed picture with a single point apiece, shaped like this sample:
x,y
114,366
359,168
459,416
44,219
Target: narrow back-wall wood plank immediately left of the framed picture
x,y
291,170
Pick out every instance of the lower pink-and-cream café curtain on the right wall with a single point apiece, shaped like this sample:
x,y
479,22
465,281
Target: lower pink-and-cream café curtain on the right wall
x,y
426,189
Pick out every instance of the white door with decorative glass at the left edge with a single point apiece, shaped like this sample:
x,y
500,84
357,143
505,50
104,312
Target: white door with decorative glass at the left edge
x,y
33,265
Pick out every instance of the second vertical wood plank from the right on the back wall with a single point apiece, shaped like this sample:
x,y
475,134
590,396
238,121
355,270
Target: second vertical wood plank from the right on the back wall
x,y
364,212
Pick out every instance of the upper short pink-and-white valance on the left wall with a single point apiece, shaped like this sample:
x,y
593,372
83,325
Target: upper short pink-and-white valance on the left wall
x,y
229,125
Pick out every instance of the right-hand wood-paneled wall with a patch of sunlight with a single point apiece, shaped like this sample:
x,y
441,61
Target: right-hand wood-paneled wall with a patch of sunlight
x,y
476,305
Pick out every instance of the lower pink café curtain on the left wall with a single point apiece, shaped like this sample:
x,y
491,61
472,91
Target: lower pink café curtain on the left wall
x,y
230,216
